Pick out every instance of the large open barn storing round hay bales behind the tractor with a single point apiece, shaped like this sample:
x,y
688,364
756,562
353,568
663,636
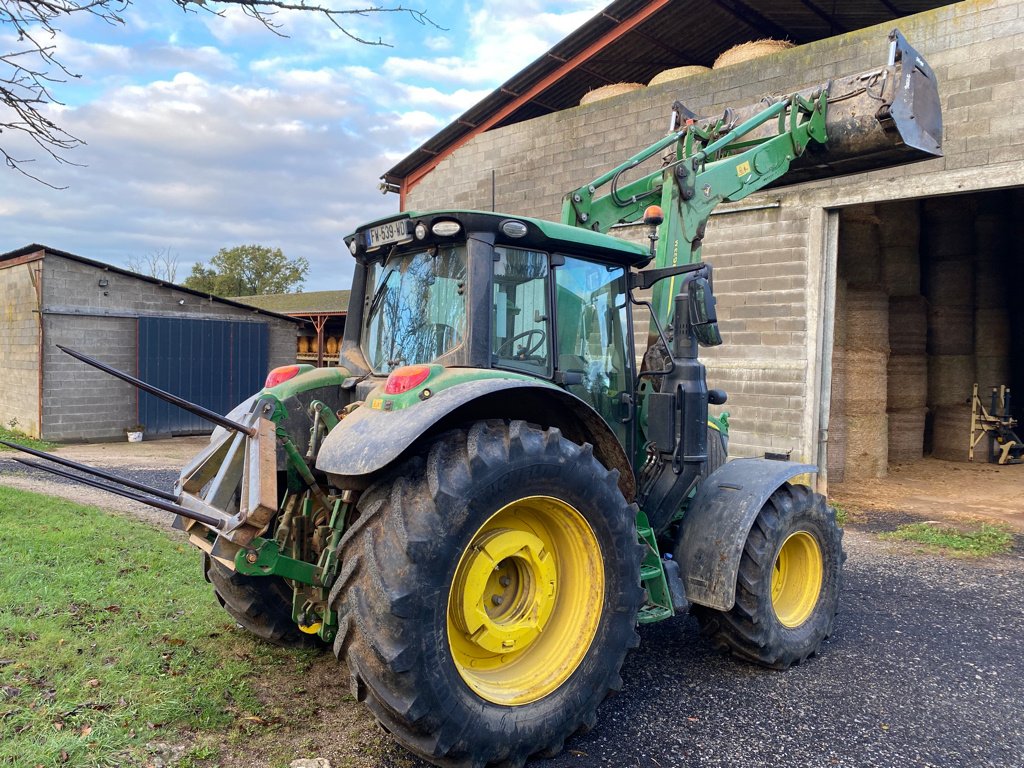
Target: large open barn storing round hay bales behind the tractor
x,y
859,313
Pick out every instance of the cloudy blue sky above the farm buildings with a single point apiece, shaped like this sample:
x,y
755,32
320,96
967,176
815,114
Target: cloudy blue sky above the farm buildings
x,y
206,133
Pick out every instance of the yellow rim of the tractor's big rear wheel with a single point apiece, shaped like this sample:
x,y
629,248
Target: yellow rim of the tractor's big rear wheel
x,y
526,602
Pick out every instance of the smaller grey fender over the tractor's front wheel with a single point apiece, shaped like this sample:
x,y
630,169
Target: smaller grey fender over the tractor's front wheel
x,y
718,522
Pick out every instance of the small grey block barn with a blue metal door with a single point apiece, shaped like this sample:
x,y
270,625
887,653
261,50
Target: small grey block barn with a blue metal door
x,y
211,352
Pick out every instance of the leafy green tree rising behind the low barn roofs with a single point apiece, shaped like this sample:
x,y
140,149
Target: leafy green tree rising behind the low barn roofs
x,y
248,271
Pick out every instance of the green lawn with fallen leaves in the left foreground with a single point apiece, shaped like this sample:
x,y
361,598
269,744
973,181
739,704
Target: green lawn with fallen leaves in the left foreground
x,y
110,641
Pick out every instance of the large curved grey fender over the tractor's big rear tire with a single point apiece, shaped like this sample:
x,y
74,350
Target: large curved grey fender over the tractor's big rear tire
x,y
369,440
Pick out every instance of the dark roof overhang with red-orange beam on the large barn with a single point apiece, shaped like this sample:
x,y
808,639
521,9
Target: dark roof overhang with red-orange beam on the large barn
x,y
632,41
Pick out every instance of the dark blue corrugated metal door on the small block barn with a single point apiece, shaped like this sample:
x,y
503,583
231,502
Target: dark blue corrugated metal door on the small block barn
x,y
216,364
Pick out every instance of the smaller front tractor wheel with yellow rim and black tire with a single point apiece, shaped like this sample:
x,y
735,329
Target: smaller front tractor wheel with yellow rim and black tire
x,y
789,584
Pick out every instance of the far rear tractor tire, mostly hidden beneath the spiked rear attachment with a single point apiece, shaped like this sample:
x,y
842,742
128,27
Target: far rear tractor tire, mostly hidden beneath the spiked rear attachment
x,y
263,606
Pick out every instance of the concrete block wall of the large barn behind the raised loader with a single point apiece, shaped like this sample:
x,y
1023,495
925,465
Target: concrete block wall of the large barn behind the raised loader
x,y
770,263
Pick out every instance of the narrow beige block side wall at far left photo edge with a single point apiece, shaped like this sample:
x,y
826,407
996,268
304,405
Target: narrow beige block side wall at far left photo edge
x,y
20,348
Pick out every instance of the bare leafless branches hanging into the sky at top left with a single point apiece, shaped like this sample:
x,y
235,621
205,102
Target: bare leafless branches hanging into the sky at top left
x,y
31,72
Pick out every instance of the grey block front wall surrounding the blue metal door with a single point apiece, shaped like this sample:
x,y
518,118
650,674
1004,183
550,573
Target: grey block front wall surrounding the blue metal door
x,y
81,404
